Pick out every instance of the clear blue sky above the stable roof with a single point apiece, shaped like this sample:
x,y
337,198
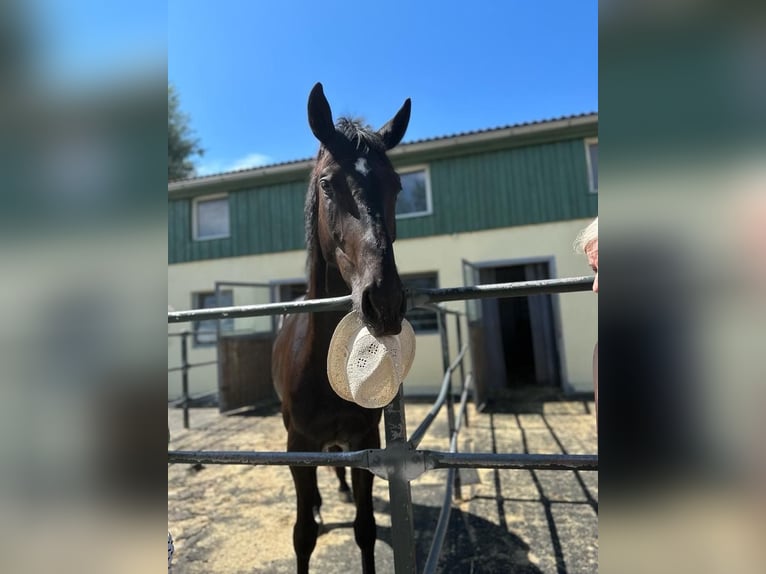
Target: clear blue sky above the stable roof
x,y
244,69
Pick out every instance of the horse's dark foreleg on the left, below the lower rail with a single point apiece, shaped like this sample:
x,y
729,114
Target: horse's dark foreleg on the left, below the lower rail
x,y
306,529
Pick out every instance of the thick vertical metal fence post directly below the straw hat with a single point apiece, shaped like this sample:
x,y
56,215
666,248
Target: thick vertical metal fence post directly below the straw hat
x,y
400,495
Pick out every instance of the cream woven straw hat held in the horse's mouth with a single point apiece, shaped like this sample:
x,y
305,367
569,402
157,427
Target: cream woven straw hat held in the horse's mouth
x,y
368,370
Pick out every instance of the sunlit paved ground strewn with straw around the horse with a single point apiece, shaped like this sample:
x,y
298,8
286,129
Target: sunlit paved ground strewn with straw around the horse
x,y
235,519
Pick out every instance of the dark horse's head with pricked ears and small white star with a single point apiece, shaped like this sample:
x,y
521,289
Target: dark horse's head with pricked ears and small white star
x,y
355,188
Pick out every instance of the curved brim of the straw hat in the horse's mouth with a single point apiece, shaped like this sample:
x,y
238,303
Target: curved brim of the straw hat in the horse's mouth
x,y
338,353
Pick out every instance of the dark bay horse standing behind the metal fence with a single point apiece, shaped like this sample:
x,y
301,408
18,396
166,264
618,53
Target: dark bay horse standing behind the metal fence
x,y
350,230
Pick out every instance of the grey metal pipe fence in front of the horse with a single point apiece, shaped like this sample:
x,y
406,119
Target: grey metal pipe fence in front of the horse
x,y
400,461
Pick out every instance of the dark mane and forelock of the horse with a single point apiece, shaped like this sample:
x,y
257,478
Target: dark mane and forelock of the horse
x,y
365,141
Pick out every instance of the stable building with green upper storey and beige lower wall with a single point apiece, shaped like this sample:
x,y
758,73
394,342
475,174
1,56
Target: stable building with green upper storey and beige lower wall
x,y
491,206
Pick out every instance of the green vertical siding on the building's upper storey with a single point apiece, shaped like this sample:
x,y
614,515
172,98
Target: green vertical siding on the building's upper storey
x,y
519,186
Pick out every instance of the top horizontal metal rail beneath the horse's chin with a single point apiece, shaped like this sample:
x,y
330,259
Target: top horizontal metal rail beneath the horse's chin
x,y
415,298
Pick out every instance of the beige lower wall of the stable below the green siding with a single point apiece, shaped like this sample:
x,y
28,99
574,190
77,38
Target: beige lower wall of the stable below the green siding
x,y
443,254
